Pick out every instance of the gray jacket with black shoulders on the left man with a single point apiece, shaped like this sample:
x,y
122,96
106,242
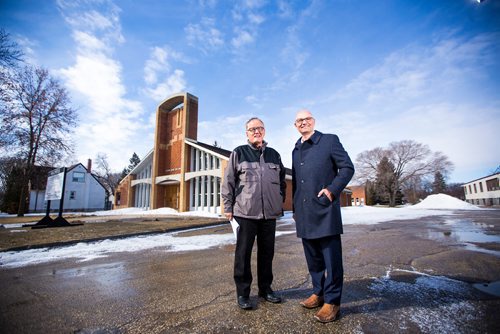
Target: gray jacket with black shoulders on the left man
x,y
254,184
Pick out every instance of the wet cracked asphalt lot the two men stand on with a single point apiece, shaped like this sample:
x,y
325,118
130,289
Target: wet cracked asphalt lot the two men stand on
x,y
437,274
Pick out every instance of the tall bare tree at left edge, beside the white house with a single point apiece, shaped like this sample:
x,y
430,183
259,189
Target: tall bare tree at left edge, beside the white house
x,y
36,118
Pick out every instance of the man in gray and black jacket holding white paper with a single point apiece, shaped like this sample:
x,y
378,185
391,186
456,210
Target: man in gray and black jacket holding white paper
x,y
253,192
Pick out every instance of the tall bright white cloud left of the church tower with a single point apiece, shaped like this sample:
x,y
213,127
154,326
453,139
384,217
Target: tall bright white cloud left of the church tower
x,y
108,120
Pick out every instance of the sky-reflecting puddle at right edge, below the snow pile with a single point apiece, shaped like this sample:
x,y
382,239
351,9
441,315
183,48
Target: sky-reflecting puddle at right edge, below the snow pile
x,y
466,232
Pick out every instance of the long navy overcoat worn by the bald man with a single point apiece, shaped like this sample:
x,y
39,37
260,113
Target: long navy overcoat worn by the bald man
x,y
320,162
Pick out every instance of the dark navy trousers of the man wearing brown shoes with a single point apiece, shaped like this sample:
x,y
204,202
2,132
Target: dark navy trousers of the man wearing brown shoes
x,y
324,261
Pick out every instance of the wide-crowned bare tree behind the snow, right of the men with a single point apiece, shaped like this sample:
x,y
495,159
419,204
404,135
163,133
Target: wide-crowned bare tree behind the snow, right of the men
x,y
410,161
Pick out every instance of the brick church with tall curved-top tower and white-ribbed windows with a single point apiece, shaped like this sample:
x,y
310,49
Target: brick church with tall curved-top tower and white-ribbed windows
x,y
181,172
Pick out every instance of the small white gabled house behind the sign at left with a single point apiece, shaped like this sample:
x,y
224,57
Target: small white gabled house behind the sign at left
x,y
83,192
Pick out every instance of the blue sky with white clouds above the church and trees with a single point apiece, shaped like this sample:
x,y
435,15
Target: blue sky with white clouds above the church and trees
x,y
372,72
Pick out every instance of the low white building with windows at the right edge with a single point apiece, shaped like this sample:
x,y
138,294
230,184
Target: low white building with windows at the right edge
x,y
484,191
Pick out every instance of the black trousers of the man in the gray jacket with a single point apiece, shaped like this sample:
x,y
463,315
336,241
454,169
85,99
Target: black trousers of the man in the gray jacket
x,y
264,230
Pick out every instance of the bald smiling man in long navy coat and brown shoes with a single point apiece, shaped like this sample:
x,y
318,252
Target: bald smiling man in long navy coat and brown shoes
x,y
321,170
